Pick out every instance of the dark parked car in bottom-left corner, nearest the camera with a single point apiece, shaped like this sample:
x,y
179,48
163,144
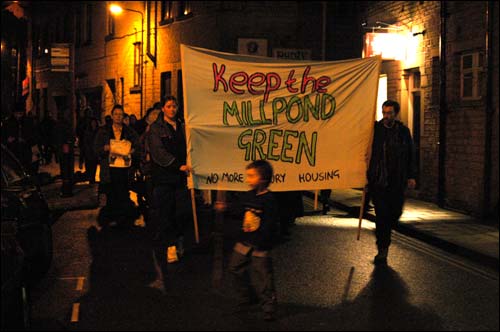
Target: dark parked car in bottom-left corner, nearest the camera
x,y
15,303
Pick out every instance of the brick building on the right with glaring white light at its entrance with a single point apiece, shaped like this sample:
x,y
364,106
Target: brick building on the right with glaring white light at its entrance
x,y
446,80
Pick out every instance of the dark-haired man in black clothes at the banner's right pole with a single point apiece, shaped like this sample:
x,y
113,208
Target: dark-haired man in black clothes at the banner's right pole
x,y
390,172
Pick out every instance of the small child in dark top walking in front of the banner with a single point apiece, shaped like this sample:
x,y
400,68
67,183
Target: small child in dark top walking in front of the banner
x,y
251,253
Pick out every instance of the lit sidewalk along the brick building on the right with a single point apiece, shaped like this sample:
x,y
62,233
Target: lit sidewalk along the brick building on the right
x,y
449,230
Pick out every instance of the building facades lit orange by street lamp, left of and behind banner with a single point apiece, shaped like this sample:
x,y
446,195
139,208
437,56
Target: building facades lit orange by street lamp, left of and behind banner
x,y
134,58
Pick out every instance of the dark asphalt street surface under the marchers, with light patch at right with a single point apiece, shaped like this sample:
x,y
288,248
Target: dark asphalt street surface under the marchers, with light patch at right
x,y
325,280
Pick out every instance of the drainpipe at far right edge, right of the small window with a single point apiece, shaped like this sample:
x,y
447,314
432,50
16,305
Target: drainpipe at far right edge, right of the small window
x,y
489,111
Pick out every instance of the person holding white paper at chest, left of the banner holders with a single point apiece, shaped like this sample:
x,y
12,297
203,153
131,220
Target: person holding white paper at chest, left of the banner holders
x,y
115,146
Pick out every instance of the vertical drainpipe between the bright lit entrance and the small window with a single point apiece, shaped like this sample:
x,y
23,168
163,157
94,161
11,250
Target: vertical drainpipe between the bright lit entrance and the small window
x,y
442,110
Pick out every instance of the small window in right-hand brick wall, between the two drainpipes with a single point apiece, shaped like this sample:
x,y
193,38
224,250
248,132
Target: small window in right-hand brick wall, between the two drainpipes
x,y
470,68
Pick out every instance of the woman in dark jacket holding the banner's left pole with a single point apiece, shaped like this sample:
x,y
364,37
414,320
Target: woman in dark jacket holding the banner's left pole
x,y
166,144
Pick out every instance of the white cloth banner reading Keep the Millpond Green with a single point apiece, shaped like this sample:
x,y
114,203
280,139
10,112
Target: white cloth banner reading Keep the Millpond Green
x,y
313,121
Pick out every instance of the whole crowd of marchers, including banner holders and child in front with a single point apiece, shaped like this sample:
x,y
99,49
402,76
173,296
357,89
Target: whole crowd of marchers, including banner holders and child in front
x,y
150,154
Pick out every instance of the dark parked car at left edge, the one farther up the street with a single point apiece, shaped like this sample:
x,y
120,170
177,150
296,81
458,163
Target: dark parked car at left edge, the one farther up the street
x,y
24,205
